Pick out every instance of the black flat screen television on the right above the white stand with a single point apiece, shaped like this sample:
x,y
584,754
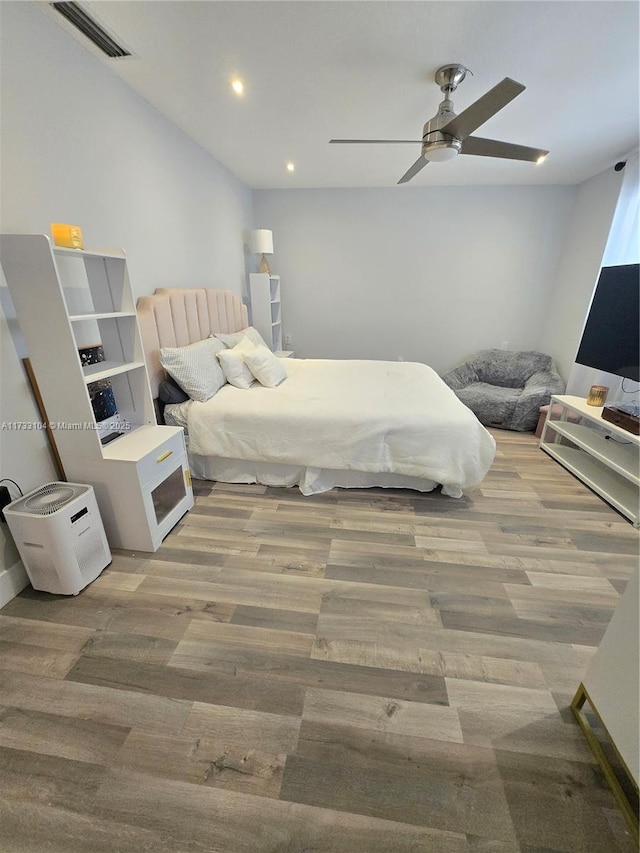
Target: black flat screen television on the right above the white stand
x,y
611,336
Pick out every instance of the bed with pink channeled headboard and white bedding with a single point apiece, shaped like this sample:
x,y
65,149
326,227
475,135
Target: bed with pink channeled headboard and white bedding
x,y
329,423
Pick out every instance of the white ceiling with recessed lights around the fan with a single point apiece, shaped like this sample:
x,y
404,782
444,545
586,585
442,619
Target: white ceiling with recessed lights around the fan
x,y
354,68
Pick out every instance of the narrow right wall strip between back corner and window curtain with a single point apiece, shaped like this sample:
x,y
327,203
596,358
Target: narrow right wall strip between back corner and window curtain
x,y
576,277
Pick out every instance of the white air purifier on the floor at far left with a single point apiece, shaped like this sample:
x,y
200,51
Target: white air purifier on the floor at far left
x,y
60,536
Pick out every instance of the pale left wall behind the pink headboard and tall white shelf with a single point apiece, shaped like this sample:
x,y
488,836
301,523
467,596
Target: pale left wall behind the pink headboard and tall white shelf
x,y
78,146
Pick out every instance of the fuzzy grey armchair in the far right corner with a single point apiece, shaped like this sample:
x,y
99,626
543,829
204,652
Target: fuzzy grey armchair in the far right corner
x,y
506,389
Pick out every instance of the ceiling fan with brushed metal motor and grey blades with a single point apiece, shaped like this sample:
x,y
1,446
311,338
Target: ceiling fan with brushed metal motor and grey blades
x,y
446,134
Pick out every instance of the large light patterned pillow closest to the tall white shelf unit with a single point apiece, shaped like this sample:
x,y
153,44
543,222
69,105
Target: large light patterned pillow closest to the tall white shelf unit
x,y
195,368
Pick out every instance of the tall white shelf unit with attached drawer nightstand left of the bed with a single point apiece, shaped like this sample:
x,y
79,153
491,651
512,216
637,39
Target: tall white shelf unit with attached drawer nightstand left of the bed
x,y
76,311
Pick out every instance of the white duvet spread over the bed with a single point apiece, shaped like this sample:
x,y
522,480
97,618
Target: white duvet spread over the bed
x,y
373,416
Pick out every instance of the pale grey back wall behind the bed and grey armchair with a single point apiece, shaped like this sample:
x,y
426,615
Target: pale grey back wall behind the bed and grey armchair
x,y
429,274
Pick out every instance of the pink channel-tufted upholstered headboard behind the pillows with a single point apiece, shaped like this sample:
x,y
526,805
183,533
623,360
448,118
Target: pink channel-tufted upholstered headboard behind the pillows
x,y
175,317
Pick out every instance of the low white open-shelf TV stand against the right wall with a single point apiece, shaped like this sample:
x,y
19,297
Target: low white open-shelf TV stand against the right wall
x,y
602,455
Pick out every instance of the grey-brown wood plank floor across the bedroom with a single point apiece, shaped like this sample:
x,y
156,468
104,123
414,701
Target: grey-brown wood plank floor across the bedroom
x,y
361,671
